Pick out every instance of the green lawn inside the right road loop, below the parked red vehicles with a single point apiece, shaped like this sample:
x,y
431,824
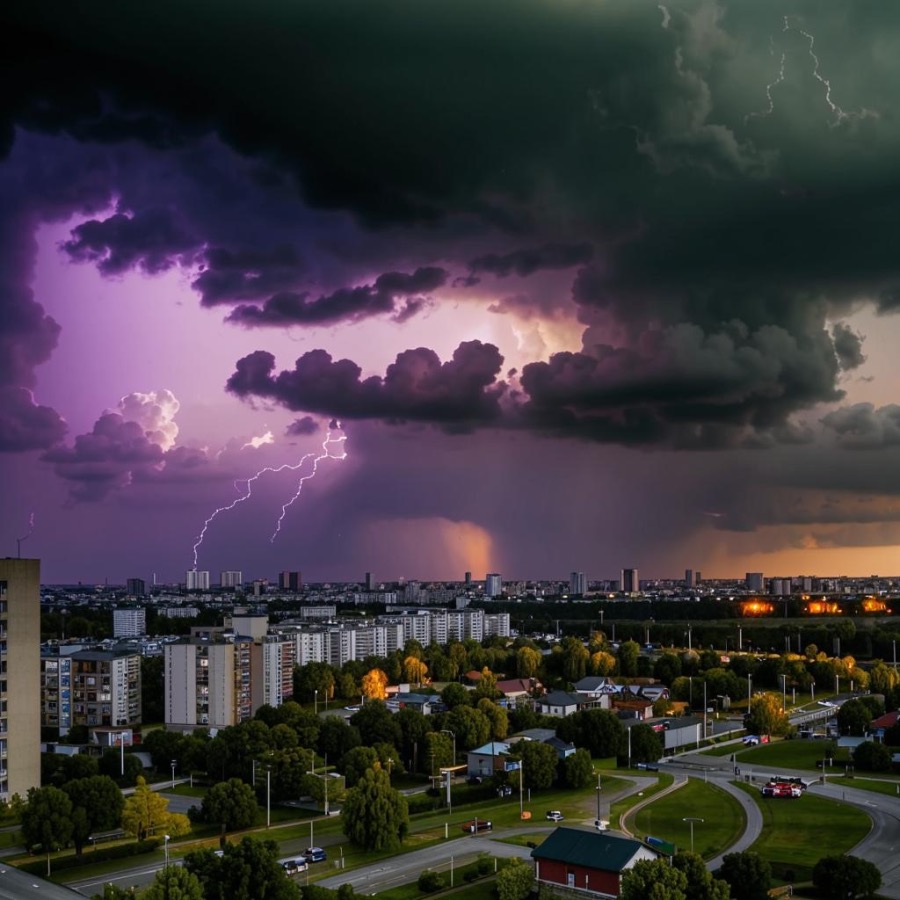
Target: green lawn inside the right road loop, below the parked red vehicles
x,y
798,833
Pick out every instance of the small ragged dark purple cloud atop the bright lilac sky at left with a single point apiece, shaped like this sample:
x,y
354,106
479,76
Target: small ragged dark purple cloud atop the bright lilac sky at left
x,y
152,240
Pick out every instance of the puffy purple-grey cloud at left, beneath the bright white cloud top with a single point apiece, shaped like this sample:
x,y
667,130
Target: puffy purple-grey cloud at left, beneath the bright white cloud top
x,y
106,459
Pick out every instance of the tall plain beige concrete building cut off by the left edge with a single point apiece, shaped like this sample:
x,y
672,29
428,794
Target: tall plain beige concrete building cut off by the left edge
x,y
20,692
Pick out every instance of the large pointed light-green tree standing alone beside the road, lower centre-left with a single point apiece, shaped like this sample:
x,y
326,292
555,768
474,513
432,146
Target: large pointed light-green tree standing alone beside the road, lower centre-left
x,y
374,815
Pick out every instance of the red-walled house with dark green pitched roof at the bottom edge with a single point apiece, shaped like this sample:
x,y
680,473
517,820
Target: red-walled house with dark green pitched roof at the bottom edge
x,y
589,861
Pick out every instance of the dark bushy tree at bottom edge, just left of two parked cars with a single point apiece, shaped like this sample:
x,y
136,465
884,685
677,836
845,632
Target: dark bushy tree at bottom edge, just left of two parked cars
x,y
246,871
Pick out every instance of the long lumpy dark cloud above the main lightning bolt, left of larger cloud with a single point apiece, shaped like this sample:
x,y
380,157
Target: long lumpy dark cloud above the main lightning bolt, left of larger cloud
x,y
458,394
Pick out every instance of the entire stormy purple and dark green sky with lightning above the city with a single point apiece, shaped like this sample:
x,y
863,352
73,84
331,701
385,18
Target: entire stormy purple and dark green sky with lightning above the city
x,y
426,288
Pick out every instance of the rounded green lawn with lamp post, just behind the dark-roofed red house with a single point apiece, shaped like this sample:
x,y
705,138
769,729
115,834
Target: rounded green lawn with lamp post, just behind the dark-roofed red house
x,y
723,818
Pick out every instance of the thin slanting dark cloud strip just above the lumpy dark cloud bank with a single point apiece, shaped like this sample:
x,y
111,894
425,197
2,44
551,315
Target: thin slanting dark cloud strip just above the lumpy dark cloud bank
x,y
347,304
